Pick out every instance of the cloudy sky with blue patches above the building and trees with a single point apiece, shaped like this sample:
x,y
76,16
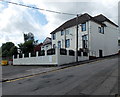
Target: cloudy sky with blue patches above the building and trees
x,y
16,20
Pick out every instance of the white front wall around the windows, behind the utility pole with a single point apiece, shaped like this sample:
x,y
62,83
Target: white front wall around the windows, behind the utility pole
x,y
71,36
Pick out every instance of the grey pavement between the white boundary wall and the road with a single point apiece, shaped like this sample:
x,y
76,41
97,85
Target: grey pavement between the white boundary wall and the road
x,y
8,76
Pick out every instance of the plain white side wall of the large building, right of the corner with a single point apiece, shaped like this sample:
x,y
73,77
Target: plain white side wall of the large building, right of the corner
x,y
108,42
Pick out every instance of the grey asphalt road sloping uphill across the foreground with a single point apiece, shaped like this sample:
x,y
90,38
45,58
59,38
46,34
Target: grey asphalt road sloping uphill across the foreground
x,y
96,78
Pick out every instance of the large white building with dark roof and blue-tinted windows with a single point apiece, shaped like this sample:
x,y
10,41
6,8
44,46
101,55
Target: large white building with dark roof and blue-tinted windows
x,y
98,35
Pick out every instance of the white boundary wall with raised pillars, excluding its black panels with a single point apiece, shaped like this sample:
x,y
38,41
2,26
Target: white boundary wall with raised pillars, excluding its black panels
x,y
56,59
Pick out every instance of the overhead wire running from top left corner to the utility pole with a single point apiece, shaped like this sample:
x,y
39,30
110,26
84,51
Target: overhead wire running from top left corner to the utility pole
x,y
58,12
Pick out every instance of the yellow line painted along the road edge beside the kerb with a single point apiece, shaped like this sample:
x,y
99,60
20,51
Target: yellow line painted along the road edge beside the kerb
x,y
29,76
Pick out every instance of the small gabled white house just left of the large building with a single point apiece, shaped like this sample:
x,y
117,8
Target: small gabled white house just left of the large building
x,y
47,44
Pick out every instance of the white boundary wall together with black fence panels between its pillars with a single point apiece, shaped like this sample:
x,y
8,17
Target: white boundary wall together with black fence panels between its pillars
x,y
50,57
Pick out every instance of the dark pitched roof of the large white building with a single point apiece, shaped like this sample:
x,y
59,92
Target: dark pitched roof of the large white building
x,y
82,19
